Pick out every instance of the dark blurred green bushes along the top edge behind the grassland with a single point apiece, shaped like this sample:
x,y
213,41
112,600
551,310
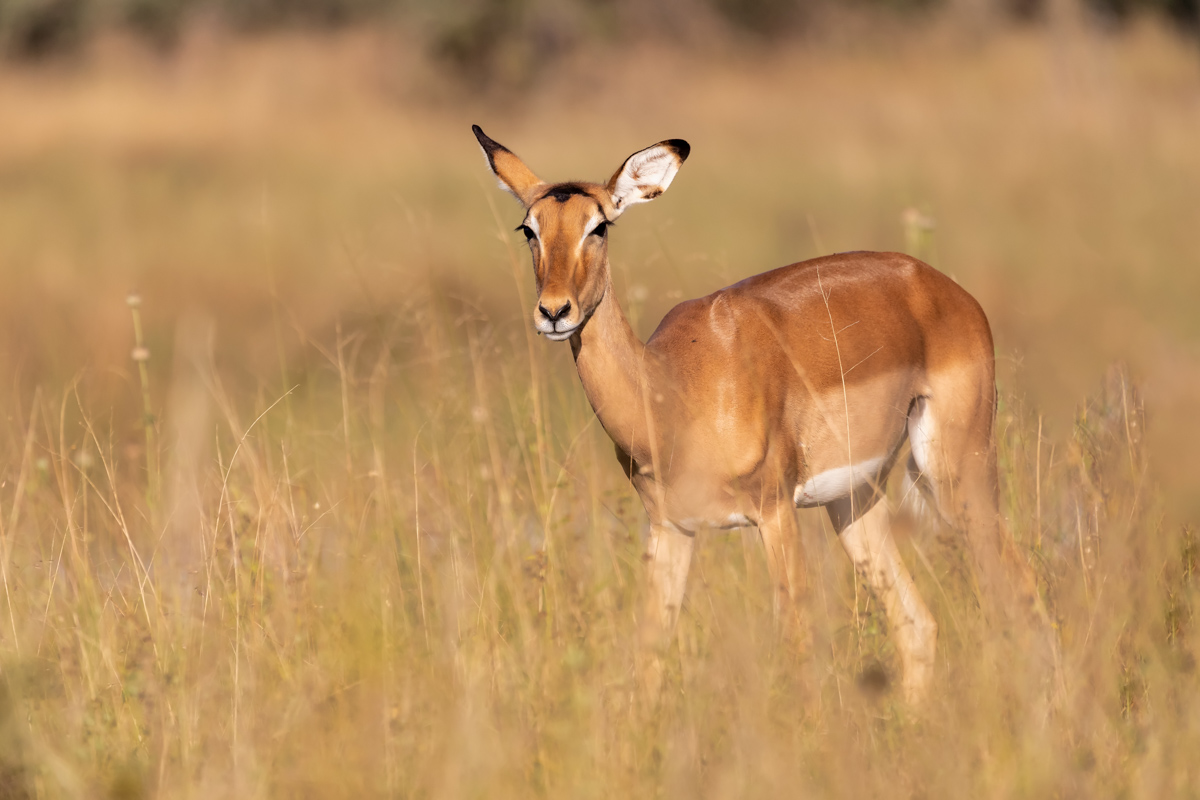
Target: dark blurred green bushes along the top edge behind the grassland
x,y
477,35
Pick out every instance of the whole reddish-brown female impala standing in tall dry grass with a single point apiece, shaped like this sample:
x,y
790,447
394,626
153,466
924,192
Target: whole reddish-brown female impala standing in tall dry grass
x,y
797,387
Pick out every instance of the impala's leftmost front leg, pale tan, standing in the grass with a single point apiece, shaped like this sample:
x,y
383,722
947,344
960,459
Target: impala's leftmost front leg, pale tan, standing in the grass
x,y
669,557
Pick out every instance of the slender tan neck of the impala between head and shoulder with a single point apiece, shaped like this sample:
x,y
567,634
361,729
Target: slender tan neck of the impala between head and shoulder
x,y
619,380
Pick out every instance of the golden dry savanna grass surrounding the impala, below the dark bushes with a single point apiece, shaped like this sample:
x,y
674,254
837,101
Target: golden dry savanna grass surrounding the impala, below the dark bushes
x,y
344,527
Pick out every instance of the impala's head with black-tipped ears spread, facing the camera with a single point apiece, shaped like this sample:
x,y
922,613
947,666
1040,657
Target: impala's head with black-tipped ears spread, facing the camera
x,y
567,226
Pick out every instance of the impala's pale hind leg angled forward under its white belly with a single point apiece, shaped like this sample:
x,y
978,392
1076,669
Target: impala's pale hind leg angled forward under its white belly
x,y
863,524
